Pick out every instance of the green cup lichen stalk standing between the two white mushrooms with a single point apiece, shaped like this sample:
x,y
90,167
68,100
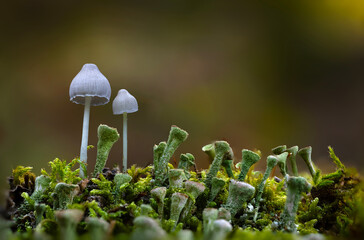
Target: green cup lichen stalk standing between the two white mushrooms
x,y
107,137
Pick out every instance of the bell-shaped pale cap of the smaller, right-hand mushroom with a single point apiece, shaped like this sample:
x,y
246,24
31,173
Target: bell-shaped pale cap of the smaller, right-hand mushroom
x,y
124,102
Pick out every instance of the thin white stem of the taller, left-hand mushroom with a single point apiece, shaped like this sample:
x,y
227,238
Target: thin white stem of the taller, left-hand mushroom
x,y
86,120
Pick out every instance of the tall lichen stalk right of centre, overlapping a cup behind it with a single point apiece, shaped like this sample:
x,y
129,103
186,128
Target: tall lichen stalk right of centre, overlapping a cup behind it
x,y
221,148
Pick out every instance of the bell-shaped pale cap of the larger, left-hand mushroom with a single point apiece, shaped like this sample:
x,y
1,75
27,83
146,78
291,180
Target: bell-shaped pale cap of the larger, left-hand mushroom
x,y
90,82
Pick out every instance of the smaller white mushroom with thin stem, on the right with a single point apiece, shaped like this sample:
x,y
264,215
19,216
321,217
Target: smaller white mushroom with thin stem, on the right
x,y
124,103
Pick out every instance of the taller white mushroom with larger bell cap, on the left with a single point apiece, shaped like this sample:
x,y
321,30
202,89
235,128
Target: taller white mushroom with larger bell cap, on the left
x,y
89,88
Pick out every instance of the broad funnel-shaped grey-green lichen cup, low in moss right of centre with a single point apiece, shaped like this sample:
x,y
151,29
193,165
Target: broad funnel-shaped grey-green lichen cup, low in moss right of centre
x,y
239,193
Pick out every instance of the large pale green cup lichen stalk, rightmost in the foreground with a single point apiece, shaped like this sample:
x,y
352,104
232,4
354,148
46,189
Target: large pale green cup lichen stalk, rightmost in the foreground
x,y
295,187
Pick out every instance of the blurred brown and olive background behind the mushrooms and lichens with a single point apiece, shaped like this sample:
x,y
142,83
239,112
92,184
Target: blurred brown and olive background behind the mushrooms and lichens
x,y
255,73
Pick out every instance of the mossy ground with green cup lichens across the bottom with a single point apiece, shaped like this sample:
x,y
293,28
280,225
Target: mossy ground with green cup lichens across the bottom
x,y
148,203
